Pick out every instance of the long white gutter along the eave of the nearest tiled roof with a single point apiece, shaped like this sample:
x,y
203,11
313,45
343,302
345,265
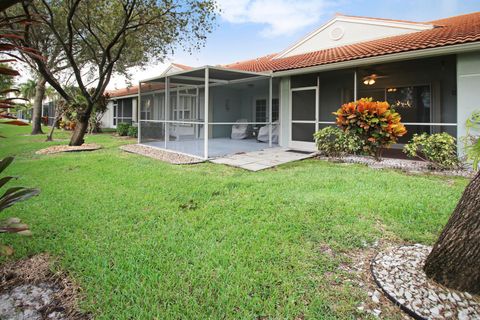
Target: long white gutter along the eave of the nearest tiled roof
x,y
409,55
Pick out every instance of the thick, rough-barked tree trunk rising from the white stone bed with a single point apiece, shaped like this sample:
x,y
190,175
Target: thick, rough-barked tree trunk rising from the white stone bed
x,y
455,259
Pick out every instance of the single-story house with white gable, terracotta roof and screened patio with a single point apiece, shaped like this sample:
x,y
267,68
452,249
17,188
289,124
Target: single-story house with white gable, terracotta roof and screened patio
x,y
430,72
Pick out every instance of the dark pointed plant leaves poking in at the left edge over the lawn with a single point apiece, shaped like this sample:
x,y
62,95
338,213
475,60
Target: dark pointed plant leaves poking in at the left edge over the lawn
x,y
8,199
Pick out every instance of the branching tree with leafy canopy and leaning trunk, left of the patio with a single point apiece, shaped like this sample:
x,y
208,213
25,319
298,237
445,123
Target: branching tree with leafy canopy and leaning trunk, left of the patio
x,y
100,37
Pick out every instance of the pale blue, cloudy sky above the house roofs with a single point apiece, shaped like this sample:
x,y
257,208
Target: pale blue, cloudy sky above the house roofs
x,y
252,28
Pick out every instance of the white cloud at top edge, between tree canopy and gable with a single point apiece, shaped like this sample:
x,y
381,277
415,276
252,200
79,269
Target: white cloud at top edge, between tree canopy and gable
x,y
280,17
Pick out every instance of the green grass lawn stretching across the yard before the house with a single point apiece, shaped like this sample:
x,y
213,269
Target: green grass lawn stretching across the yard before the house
x,y
146,239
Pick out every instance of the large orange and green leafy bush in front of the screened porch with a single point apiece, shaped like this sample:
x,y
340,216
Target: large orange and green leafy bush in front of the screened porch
x,y
375,123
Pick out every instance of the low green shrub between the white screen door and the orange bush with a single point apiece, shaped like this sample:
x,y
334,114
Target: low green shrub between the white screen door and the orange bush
x,y
333,142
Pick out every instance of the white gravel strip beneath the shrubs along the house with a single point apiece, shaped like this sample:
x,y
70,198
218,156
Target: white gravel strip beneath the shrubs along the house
x,y
412,166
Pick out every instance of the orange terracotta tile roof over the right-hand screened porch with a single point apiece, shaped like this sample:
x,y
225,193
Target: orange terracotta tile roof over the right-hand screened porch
x,y
449,31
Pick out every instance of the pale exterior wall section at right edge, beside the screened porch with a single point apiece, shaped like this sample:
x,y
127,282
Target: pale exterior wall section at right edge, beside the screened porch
x,y
468,90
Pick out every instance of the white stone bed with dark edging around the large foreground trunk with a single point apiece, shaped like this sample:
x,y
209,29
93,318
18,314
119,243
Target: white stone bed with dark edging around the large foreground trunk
x,y
399,273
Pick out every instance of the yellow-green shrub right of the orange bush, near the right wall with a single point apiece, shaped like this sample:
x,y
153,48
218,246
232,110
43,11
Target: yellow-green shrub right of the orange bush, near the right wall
x,y
439,149
